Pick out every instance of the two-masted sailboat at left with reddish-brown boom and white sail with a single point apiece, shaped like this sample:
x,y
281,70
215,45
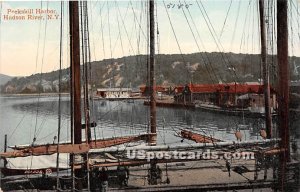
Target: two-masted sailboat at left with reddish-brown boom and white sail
x,y
46,157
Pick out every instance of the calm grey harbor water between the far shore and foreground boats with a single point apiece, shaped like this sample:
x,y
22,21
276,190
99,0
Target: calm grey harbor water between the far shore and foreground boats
x,y
23,118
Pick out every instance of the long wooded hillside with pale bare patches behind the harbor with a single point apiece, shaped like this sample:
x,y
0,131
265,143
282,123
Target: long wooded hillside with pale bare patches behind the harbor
x,y
171,69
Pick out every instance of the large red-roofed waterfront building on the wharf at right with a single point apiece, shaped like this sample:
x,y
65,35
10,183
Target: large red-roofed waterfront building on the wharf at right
x,y
224,95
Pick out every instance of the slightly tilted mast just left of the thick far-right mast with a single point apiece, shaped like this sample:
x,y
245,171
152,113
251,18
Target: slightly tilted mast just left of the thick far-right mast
x,y
265,66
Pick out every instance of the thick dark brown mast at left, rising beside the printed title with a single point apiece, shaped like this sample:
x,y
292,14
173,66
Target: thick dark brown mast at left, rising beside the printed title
x,y
75,66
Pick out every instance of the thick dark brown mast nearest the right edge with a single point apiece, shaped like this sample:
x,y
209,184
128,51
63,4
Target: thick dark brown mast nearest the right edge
x,y
283,92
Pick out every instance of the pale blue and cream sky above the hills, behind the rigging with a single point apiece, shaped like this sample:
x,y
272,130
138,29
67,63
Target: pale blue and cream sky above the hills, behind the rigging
x,y
119,28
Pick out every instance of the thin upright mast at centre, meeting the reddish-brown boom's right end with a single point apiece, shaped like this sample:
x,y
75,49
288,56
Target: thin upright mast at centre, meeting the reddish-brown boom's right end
x,y
152,139
